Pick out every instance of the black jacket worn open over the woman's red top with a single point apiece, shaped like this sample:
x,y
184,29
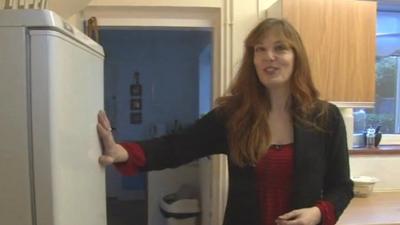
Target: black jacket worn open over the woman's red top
x,y
321,168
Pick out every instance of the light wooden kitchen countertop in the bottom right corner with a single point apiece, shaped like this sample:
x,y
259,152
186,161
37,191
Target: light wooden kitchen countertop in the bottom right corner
x,y
380,208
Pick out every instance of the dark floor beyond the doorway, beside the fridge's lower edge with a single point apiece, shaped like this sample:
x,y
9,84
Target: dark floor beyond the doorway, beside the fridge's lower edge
x,y
126,212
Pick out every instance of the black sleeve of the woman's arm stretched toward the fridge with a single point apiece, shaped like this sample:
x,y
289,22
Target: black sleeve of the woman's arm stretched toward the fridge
x,y
206,137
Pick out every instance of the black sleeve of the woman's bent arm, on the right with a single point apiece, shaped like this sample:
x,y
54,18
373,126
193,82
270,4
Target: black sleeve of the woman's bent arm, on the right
x,y
338,187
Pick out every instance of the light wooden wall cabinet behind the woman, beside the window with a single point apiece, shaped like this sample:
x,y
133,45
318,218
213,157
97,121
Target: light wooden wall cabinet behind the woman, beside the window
x,y
339,36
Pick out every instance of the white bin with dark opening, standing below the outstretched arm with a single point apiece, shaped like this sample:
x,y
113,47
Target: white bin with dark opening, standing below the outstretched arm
x,y
180,211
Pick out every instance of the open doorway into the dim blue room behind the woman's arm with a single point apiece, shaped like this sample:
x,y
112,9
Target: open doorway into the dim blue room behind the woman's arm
x,y
173,67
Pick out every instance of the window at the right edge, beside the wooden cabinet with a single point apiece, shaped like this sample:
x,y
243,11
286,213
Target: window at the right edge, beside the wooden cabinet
x,y
386,113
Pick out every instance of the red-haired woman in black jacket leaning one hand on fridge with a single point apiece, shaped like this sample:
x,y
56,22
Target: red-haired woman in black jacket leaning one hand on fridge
x,y
287,153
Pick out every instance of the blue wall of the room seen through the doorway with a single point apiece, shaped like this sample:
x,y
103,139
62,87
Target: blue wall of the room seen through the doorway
x,y
168,63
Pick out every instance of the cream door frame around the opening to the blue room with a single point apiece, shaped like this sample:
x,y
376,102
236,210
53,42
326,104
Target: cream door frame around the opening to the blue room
x,y
191,17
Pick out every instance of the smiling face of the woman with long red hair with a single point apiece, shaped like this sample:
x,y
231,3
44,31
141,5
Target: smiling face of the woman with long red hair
x,y
273,60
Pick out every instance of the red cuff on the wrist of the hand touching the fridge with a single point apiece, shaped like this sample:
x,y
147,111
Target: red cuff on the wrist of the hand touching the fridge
x,y
136,160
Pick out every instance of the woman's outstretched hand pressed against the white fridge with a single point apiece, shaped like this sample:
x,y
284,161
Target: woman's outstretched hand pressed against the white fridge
x,y
112,152
